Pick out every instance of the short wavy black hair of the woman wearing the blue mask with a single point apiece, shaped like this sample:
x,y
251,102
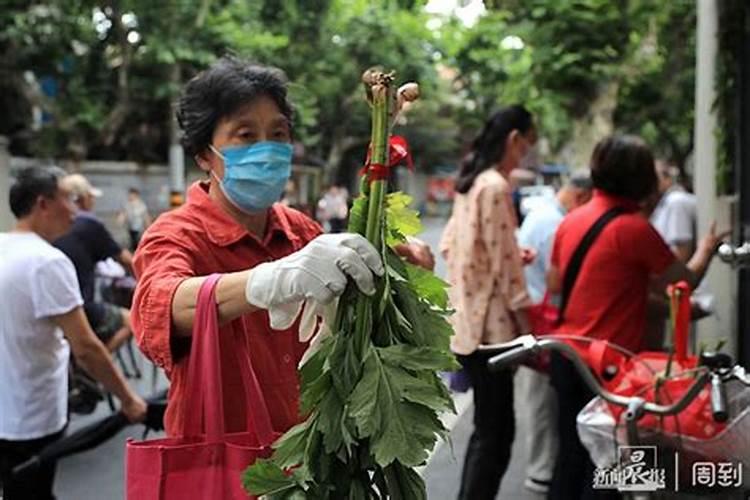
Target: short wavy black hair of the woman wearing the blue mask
x,y
220,91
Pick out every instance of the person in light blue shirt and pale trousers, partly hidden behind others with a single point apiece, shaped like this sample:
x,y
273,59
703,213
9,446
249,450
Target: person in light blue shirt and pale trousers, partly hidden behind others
x,y
537,400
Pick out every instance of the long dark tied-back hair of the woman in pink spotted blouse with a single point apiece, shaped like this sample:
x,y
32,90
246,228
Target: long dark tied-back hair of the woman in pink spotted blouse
x,y
489,146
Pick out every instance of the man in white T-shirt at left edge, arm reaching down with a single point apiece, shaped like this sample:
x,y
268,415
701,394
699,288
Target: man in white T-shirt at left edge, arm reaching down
x,y
41,319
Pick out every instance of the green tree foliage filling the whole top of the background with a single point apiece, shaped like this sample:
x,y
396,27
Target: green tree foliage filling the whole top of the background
x,y
88,79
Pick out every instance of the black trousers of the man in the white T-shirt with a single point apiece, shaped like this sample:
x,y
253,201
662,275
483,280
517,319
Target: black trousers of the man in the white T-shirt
x,y
36,485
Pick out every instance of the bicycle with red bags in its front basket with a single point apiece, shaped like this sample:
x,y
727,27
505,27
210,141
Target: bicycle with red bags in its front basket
x,y
716,378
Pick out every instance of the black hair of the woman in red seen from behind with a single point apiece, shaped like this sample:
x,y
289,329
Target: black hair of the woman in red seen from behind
x,y
623,165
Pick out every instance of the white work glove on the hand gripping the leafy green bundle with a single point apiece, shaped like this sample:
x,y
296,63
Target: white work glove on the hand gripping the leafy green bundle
x,y
317,273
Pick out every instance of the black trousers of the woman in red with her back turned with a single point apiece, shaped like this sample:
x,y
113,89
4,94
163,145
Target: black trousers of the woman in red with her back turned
x,y
573,477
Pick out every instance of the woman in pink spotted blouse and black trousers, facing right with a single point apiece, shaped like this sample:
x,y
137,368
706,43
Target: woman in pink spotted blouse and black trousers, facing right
x,y
485,269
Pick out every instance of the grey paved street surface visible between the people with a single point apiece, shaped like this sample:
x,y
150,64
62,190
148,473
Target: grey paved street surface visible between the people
x,y
98,474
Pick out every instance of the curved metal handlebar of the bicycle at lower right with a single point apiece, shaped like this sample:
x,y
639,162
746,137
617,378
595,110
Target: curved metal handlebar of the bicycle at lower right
x,y
512,352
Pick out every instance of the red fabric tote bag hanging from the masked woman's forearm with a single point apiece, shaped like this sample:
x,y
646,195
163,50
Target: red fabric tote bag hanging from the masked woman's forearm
x,y
203,465
